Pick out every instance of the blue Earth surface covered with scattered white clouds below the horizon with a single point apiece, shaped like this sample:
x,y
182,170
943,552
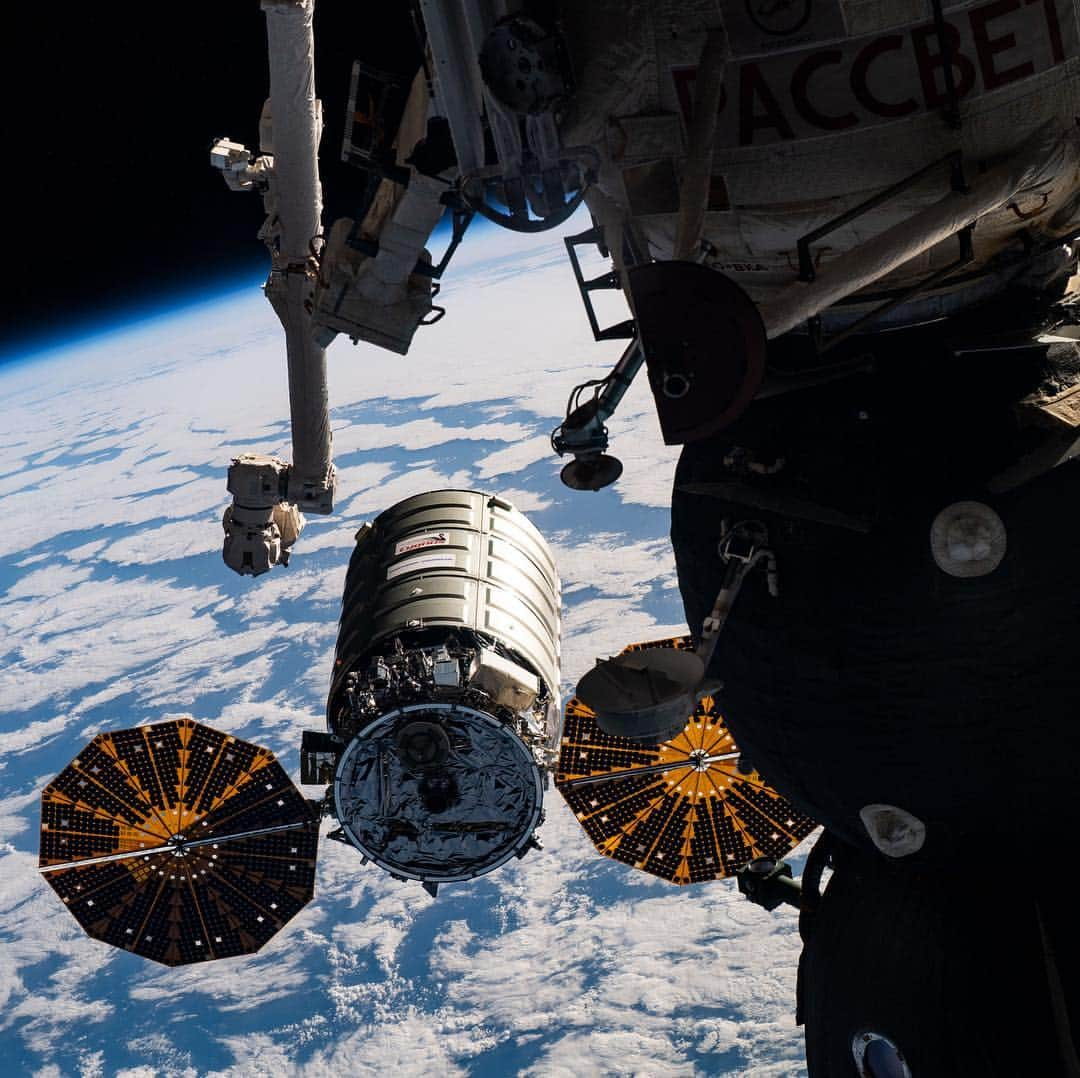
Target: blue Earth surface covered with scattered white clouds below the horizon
x,y
116,610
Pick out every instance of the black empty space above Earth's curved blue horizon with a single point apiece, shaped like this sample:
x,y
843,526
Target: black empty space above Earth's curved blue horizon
x,y
106,120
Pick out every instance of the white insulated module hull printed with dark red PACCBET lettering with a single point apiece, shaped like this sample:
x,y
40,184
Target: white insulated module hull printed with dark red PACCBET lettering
x,y
826,104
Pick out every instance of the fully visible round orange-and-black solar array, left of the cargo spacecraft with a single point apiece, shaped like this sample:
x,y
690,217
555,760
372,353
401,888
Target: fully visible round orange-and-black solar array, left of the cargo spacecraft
x,y
179,843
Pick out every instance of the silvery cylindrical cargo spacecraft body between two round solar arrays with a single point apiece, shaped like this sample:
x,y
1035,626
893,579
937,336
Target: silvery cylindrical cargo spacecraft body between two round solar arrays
x,y
443,711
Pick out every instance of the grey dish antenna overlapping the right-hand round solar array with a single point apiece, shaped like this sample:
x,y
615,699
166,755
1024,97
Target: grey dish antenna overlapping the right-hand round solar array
x,y
644,695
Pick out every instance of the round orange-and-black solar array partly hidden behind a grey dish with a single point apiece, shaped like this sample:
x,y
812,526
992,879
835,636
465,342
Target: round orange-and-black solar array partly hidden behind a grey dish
x,y
681,810
